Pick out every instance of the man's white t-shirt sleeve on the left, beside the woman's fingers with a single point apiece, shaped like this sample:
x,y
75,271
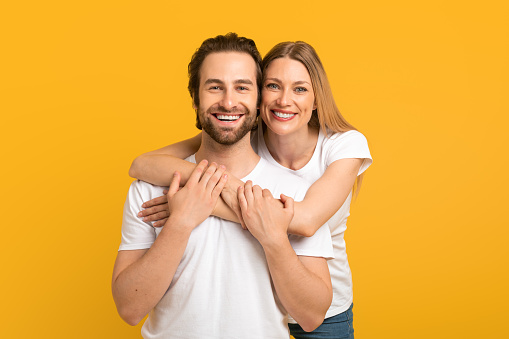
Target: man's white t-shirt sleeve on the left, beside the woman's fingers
x,y
136,234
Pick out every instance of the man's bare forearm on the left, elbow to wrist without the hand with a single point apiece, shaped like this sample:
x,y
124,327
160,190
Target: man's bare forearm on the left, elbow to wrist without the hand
x,y
140,285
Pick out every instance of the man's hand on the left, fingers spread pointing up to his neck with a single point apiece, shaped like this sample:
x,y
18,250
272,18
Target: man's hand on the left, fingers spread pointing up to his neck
x,y
194,202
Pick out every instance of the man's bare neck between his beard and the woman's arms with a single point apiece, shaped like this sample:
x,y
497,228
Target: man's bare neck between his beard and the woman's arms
x,y
240,158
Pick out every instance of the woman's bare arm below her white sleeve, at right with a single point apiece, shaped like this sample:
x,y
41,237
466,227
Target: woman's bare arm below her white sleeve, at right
x,y
325,197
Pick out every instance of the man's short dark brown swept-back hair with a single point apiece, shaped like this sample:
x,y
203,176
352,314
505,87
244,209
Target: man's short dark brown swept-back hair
x,y
230,42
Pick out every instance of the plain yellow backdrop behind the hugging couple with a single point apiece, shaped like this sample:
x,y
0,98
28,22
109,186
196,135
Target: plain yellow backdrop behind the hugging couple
x,y
88,85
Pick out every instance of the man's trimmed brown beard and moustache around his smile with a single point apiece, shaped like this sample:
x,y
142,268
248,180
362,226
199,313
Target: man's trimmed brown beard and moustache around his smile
x,y
227,135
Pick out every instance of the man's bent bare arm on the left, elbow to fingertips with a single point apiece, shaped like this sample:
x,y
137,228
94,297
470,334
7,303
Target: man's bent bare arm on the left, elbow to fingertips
x,y
141,277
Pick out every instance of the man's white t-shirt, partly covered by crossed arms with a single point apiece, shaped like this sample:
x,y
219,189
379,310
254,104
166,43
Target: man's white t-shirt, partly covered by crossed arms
x,y
222,287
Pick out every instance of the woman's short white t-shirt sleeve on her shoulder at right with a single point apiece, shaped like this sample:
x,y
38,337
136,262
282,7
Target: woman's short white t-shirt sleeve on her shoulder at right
x,y
351,144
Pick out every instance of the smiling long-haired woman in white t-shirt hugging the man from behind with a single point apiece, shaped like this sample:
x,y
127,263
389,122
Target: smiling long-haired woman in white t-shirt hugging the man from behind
x,y
303,132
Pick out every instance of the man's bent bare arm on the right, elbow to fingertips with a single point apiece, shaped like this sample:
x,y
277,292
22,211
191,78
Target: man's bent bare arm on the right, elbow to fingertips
x,y
302,283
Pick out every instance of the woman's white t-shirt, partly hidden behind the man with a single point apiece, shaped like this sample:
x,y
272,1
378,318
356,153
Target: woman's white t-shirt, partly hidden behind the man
x,y
351,144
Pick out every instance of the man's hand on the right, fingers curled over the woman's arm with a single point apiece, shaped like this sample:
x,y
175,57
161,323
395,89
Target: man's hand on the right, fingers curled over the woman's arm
x,y
265,217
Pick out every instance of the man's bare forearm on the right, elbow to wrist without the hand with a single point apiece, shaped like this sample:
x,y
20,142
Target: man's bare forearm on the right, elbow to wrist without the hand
x,y
302,283
